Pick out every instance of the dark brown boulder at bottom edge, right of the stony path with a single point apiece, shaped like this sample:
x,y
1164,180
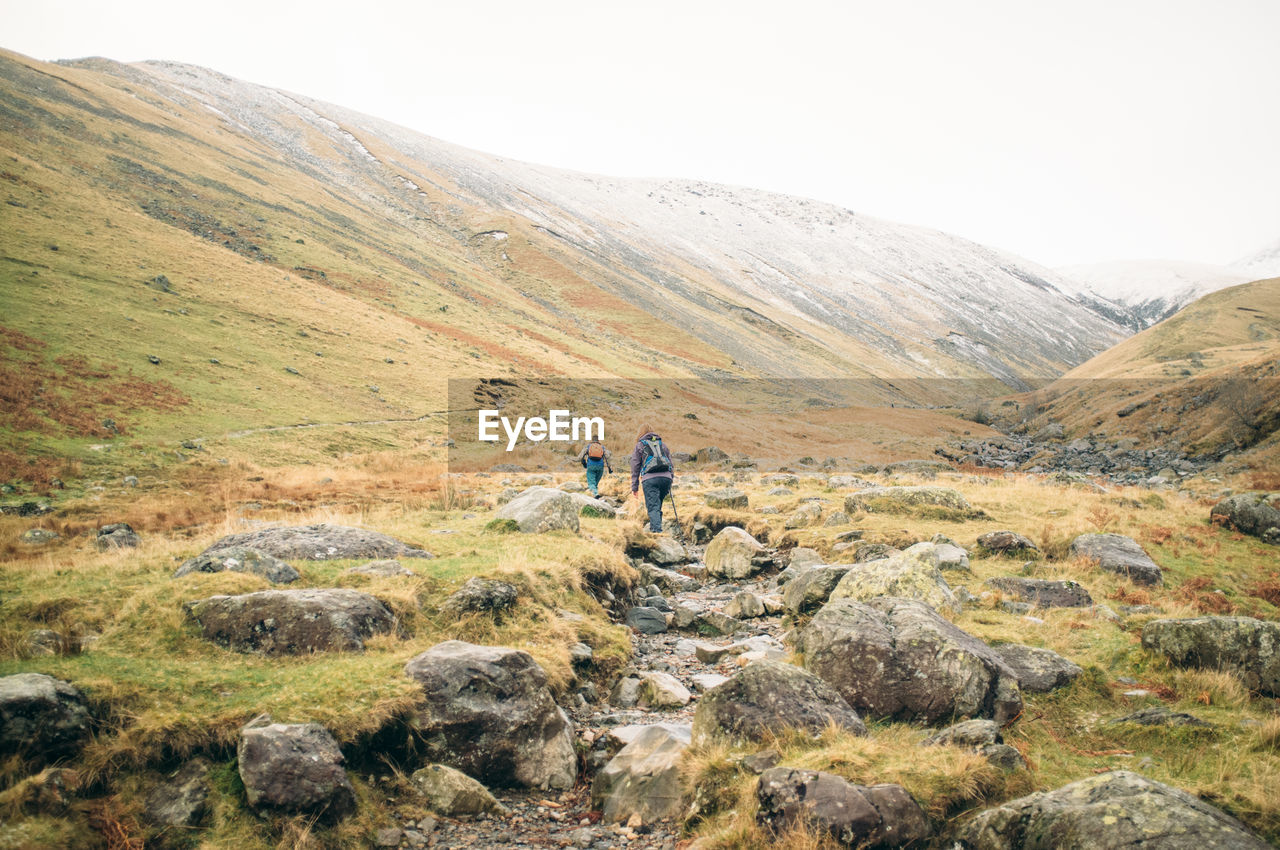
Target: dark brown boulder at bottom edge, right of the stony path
x,y
856,816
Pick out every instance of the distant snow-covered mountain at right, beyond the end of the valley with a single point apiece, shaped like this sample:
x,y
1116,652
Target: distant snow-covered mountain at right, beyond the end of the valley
x,y
1139,294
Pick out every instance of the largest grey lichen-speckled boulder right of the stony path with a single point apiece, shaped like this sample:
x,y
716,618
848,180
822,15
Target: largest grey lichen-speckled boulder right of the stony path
x,y
899,659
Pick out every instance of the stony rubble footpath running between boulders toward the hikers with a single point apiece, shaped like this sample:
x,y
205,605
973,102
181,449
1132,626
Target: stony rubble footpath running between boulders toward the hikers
x,y
569,820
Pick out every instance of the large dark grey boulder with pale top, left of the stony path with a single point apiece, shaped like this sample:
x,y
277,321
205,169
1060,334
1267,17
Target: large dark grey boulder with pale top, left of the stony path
x,y
488,712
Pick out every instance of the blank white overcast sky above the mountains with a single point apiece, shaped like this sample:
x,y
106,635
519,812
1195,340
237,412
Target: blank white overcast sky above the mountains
x,y
1066,131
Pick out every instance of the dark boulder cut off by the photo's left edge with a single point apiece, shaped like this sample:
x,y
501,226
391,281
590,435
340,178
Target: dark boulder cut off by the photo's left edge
x,y
42,719
